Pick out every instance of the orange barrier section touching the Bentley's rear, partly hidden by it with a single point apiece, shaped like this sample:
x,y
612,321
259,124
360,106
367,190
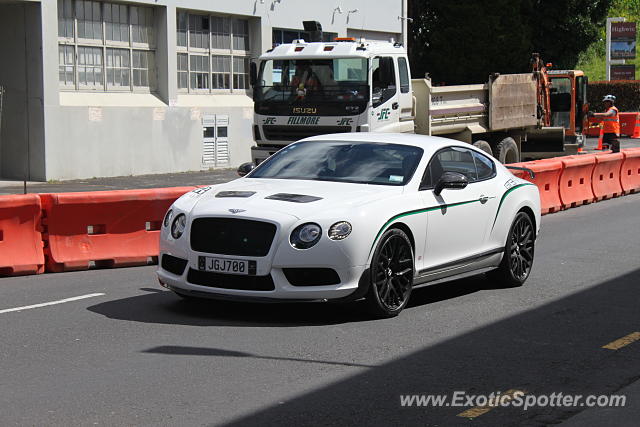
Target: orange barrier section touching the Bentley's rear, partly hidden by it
x,y
547,176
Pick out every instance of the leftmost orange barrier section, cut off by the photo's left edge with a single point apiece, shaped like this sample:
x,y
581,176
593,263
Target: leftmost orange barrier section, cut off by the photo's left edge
x,y
20,238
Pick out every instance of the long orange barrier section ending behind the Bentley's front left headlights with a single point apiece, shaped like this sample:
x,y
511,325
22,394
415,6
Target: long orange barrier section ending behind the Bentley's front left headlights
x,y
104,228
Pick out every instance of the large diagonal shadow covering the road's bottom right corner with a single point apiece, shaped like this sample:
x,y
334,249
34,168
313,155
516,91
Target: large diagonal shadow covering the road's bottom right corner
x,y
553,348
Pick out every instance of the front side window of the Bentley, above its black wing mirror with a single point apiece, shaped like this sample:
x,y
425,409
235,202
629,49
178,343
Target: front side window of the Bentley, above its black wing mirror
x,y
453,159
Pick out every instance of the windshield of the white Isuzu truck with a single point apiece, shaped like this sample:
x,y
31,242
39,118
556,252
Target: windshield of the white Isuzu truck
x,y
336,79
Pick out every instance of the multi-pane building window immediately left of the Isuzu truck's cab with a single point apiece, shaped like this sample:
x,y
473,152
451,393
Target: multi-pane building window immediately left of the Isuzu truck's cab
x,y
213,52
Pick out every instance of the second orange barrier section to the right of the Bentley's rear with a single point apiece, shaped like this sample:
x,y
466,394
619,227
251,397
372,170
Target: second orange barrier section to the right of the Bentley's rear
x,y
575,180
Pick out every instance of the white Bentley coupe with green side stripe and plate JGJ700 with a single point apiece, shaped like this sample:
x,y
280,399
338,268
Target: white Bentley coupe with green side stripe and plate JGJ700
x,y
349,216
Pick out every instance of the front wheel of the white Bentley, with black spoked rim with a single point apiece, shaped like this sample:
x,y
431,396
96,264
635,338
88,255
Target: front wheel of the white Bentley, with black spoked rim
x,y
392,269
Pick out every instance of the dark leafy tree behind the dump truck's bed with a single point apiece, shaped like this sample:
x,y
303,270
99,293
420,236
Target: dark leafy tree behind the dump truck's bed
x,y
465,41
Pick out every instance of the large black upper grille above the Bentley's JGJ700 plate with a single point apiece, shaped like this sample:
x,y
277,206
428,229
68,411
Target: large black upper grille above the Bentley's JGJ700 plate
x,y
230,236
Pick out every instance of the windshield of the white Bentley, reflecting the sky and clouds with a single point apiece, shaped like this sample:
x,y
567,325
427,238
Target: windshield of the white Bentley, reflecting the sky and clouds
x,y
343,161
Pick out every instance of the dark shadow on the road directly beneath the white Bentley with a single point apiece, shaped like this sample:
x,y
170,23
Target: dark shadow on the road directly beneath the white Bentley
x,y
160,306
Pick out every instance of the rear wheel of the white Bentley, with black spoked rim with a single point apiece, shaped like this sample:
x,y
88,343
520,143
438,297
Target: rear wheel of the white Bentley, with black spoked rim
x,y
517,260
